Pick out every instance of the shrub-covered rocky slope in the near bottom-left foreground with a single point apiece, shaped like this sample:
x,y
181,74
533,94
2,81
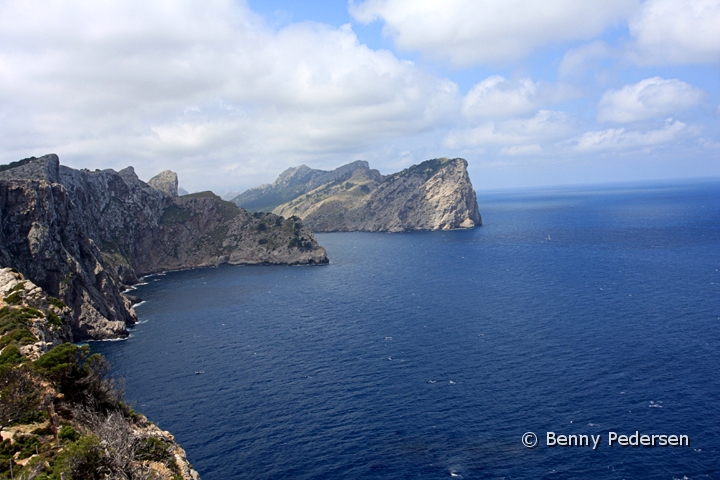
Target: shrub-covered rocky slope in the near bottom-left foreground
x,y
61,416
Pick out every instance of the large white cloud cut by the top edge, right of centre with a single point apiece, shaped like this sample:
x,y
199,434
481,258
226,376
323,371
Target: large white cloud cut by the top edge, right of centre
x,y
470,32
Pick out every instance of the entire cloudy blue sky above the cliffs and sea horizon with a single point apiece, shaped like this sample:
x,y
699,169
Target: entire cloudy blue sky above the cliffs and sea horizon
x,y
229,93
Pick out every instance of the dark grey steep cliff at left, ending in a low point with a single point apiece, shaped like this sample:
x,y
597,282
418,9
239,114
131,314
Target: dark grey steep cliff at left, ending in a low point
x,y
82,236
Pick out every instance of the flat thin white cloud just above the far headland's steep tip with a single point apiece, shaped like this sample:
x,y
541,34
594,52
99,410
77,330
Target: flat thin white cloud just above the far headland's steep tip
x,y
545,126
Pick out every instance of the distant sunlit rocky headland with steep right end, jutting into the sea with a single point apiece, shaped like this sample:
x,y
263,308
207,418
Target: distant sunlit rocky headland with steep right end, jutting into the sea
x,y
434,195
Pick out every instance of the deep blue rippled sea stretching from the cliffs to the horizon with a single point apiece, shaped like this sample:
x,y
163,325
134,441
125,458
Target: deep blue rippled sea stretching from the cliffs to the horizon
x,y
429,355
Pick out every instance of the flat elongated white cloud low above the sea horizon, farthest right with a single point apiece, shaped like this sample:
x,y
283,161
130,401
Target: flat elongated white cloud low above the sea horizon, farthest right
x,y
619,139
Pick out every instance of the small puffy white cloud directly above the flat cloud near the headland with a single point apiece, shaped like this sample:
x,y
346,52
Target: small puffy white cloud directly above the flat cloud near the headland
x,y
497,97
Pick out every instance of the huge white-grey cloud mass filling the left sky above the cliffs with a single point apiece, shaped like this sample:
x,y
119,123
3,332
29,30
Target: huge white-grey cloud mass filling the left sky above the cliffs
x,y
180,84
